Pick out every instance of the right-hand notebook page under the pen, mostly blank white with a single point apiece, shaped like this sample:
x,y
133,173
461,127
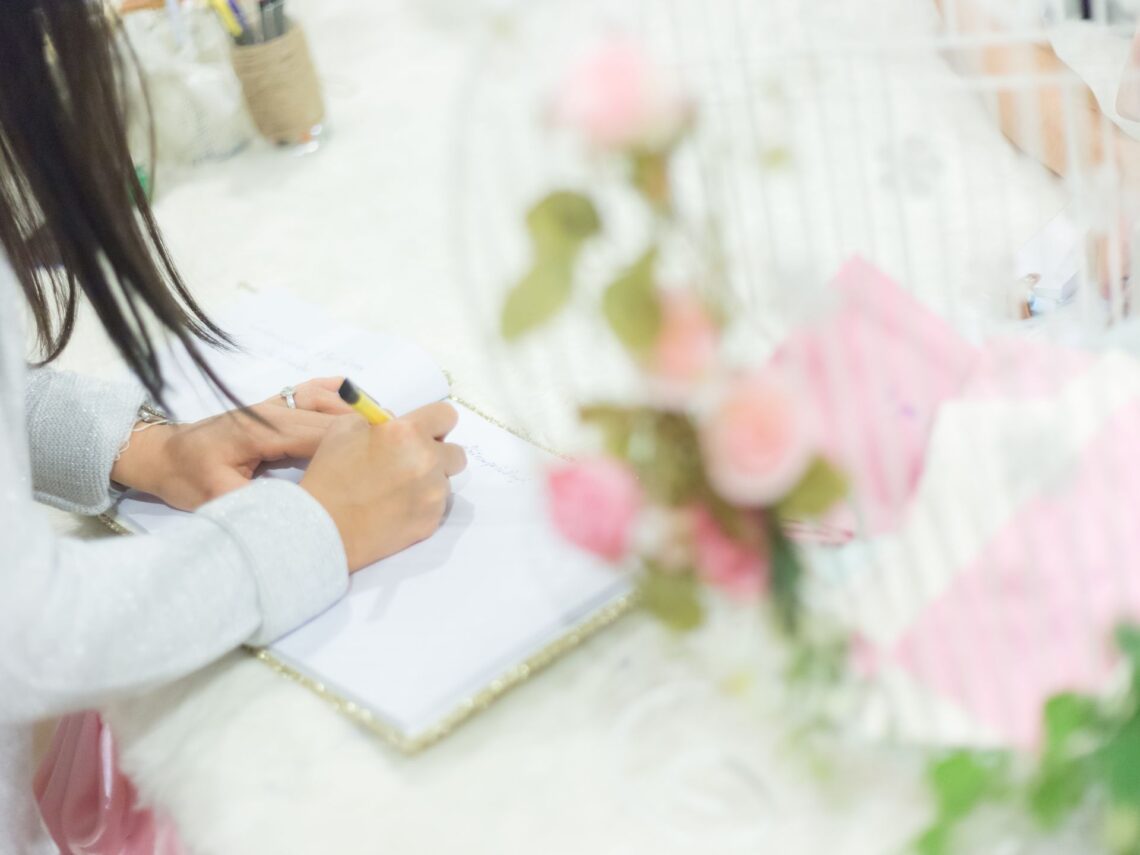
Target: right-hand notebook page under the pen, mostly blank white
x,y
424,631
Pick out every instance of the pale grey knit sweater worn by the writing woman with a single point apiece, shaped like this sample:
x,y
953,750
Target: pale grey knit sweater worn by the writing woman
x,y
82,622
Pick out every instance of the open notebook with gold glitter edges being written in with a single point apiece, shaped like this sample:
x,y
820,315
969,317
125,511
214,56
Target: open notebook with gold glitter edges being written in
x,y
434,634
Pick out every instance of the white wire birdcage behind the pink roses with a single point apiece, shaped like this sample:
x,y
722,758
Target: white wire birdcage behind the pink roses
x,y
883,132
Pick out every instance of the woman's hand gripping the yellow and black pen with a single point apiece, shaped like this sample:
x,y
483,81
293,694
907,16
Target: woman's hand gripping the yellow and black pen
x,y
386,486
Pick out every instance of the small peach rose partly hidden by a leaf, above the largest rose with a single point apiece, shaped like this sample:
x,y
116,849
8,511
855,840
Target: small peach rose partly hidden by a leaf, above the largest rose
x,y
686,348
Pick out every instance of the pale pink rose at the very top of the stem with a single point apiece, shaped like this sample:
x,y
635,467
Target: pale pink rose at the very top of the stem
x,y
617,99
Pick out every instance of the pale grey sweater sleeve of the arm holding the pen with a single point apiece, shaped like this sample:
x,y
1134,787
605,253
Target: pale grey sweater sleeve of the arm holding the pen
x,y
82,622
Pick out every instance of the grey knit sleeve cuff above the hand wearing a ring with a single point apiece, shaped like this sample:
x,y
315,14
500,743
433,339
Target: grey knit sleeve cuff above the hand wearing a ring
x,y
76,428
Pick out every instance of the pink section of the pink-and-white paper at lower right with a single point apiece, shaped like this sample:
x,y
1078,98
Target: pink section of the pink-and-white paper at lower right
x,y
1035,614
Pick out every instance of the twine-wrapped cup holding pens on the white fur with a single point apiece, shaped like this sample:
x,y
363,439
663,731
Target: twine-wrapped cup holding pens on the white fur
x,y
282,89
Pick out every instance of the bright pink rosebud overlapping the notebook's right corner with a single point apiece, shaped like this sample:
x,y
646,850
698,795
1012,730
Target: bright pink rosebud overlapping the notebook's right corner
x,y
595,504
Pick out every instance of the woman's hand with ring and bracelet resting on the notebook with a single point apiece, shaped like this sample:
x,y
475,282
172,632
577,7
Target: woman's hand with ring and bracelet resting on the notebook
x,y
188,466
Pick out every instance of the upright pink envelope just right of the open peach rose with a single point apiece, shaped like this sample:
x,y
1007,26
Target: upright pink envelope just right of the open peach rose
x,y
876,370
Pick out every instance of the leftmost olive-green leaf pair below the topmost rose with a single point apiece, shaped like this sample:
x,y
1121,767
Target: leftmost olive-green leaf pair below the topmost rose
x,y
560,225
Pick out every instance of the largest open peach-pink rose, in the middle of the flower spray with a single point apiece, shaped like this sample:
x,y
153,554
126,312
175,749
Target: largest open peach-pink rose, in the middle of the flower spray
x,y
758,439
